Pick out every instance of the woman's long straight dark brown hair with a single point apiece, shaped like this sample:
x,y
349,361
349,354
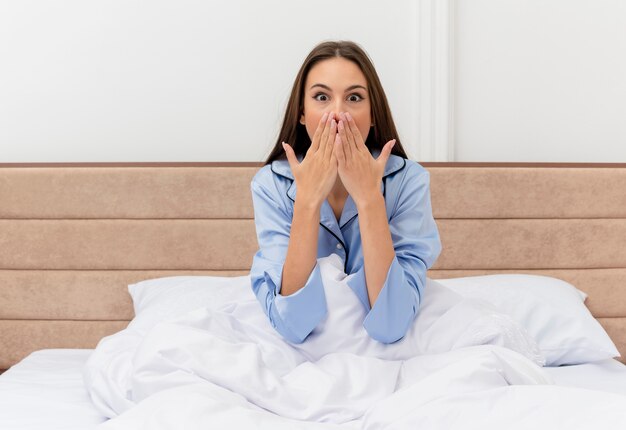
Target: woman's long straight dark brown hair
x,y
294,133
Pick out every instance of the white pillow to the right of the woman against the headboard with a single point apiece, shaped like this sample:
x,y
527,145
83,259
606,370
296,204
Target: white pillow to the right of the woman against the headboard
x,y
551,310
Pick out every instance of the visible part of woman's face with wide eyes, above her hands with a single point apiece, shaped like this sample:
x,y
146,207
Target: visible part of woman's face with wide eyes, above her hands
x,y
336,85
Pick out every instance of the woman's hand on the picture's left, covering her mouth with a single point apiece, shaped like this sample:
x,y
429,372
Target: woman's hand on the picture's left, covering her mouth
x,y
316,174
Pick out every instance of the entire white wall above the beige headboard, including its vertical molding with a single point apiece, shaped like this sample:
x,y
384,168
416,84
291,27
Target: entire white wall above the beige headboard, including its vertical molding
x,y
183,80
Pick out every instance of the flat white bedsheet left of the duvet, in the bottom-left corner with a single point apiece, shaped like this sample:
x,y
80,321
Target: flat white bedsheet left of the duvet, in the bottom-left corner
x,y
46,391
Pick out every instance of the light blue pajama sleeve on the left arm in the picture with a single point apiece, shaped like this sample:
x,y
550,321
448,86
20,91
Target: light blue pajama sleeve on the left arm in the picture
x,y
296,315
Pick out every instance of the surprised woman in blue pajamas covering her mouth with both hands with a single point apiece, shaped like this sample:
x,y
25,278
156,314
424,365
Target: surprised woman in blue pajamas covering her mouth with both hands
x,y
339,181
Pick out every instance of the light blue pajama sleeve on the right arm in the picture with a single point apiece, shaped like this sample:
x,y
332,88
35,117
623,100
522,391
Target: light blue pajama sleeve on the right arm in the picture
x,y
417,245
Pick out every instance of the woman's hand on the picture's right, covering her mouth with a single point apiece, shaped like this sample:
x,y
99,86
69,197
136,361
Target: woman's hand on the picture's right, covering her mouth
x,y
360,173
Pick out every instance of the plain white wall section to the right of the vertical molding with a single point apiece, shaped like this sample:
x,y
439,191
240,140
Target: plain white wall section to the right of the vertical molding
x,y
540,80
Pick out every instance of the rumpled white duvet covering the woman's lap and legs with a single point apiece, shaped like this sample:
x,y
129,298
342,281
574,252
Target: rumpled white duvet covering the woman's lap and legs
x,y
461,365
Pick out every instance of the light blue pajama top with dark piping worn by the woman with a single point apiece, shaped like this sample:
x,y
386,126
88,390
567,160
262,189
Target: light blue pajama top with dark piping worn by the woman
x,y
405,187
